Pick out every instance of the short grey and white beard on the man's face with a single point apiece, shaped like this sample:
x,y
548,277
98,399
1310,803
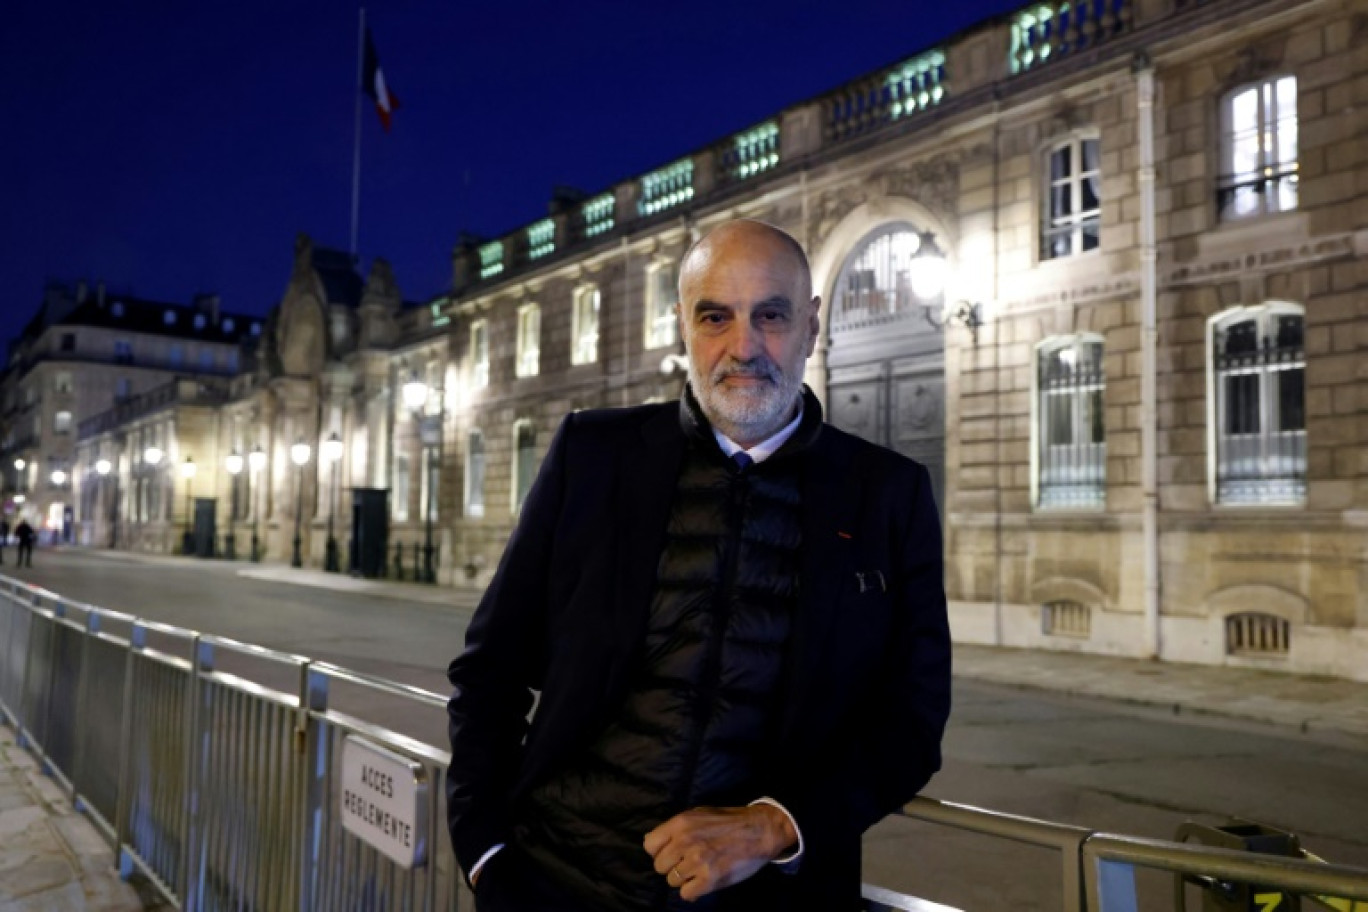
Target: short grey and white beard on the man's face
x,y
750,411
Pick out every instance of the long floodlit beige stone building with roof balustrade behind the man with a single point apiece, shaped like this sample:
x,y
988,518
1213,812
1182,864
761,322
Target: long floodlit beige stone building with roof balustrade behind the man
x,y
1099,266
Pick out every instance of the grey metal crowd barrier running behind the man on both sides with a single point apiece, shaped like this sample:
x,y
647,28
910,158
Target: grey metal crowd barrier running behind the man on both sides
x,y
225,792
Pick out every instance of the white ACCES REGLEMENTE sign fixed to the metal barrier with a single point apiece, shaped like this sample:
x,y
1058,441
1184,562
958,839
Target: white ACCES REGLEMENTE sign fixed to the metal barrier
x,y
385,801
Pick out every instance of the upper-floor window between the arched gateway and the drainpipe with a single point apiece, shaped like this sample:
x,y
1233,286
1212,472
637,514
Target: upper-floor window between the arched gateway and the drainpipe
x,y
1073,200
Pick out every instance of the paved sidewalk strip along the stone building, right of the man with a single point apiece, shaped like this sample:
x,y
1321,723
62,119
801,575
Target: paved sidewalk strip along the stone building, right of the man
x,y
1304,702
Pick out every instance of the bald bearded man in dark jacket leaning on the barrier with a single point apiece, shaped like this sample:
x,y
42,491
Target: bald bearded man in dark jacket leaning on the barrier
x,y
735,621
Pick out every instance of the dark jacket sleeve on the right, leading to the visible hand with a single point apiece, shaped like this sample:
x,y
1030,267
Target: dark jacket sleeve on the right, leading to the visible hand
x,y
890,747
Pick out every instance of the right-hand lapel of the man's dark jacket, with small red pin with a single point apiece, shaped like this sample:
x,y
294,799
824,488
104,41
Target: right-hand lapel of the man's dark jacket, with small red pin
x,y
831,493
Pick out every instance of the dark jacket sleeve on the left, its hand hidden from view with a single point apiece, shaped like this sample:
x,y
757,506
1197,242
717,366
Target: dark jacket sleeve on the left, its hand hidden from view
x,y
503,662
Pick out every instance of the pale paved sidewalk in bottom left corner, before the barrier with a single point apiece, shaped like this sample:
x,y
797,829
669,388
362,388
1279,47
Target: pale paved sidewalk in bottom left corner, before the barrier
x,y
53,859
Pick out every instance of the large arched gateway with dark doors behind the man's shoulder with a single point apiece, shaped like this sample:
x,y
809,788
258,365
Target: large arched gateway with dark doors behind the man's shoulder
x,y
886,356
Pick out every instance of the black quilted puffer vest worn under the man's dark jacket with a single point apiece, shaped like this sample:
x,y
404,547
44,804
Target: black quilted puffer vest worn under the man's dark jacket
x,y
704,702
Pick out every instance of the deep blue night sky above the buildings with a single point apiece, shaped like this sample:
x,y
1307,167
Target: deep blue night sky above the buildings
x,y
174,148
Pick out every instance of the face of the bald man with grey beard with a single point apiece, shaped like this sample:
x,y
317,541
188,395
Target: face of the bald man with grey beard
x,y
749,323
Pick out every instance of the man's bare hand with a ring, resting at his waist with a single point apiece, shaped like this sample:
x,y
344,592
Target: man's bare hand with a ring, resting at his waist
x,y
707,850
